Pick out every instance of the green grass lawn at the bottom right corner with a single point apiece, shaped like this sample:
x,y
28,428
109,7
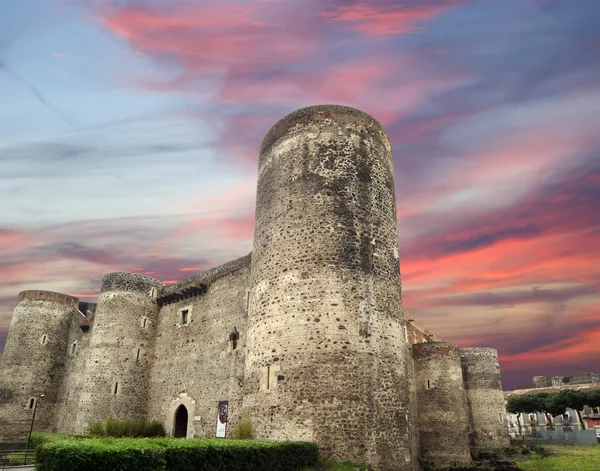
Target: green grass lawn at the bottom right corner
x,y
567,458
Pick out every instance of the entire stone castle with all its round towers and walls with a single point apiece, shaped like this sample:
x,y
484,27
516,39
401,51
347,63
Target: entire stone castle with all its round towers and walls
x,y
307,333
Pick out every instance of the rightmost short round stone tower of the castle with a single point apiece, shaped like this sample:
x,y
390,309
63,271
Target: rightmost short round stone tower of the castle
x,y
487,410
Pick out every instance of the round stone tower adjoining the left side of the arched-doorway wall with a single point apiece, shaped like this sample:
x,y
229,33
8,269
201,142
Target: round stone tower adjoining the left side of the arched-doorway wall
x,y
120,350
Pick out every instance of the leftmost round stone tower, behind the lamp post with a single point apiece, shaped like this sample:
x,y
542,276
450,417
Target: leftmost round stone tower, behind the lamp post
x,y
33,361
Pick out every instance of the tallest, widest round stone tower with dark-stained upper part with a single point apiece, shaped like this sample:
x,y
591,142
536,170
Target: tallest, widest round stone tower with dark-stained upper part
x,y
327,359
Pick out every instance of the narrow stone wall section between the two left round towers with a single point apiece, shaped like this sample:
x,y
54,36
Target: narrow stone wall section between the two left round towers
x,y
74,375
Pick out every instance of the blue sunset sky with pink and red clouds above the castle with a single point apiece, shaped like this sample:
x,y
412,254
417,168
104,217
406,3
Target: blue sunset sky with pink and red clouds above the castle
x,y
129,133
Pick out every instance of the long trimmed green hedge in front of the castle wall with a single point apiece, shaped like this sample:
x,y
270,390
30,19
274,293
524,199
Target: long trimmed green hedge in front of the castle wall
x,y
162,454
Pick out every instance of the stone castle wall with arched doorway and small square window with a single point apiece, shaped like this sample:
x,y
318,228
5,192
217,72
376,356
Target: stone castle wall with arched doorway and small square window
x,y
196,365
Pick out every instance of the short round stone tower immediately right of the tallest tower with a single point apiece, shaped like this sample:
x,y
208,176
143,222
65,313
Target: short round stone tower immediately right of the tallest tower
x,y
443,419
